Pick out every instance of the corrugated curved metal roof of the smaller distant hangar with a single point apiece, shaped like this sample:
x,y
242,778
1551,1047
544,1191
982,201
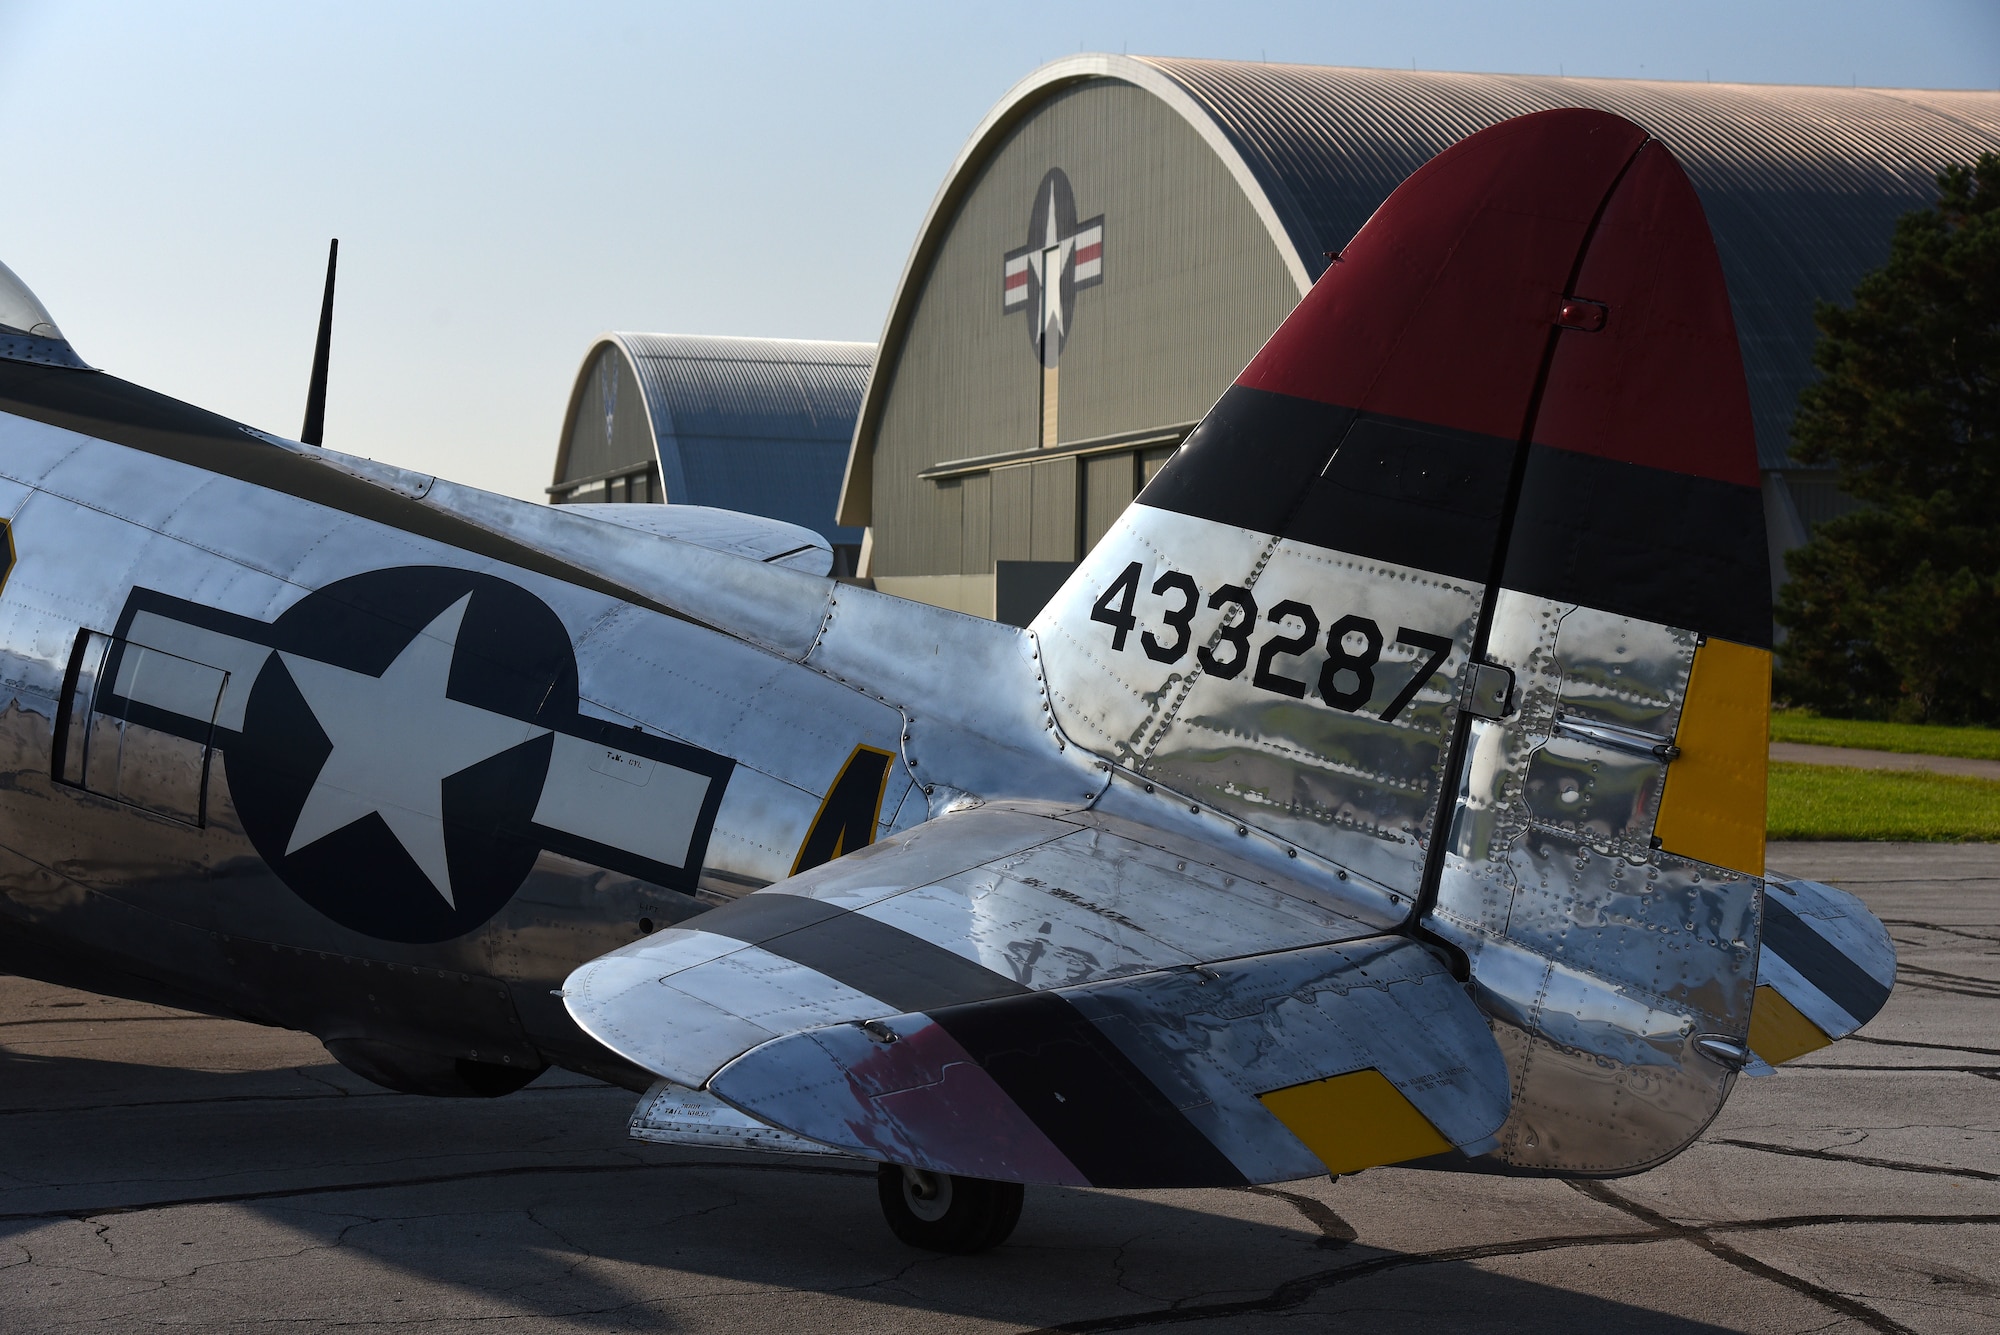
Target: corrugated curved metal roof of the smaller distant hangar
x,y
755,425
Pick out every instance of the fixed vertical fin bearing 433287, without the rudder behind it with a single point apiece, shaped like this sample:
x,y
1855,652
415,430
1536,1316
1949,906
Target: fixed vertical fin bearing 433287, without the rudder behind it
x,y
1287,619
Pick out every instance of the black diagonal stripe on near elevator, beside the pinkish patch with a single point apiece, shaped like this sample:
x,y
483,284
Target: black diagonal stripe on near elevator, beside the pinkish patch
x,y
1087,1096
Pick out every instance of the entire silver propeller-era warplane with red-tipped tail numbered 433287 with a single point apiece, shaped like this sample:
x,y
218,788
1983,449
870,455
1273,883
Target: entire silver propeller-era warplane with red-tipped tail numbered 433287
x,y
1385,788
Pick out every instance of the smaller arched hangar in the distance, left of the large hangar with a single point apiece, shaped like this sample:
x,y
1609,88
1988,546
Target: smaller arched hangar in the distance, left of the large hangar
x,y
755,425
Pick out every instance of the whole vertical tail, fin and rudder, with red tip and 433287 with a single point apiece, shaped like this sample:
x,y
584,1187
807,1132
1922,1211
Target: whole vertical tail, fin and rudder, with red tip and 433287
x,y
1463,587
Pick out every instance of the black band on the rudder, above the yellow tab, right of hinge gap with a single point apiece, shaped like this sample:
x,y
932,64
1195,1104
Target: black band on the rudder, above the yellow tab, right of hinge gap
x,y
1643,543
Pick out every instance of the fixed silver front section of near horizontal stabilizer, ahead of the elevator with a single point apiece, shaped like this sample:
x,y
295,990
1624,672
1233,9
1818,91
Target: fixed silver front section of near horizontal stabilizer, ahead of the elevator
x,y
967,908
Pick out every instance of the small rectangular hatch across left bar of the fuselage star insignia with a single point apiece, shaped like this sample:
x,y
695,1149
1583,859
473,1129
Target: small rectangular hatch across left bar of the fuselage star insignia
x,y
137,726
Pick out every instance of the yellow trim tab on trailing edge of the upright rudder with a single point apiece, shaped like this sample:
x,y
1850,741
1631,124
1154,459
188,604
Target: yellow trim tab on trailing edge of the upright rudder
x,y
1713,808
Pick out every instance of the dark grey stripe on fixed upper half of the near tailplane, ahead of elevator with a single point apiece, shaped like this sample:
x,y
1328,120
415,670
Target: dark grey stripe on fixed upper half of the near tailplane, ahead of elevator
x,y
859,952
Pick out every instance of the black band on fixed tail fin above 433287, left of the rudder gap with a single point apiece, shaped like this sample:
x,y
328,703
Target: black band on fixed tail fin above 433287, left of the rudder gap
x,y
1373,487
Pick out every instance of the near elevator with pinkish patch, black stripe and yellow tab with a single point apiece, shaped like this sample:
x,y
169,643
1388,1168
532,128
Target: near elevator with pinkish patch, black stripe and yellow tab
x,y
1285,1066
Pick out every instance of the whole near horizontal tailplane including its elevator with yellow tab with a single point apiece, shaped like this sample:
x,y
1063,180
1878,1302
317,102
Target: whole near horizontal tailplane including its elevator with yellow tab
x,y
1061,998
